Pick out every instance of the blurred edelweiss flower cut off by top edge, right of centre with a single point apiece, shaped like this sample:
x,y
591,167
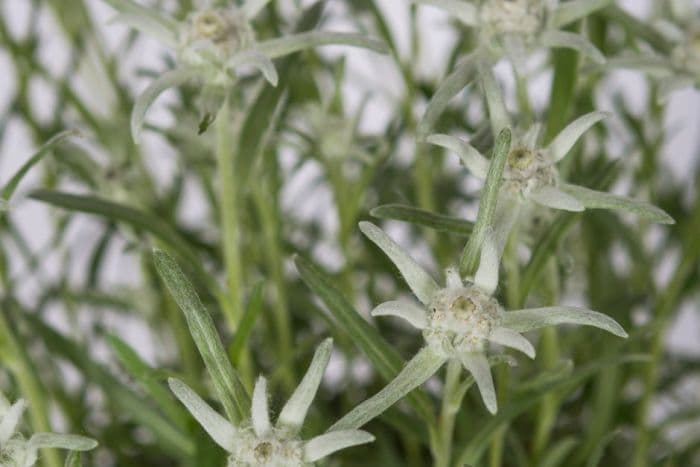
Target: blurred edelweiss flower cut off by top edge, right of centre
x,y
515,27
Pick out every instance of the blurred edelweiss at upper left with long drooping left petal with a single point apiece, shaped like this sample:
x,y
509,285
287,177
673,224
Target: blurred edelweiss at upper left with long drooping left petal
x,y
211,44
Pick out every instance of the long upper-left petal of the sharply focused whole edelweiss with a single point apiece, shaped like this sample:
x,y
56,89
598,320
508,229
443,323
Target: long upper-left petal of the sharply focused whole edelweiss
x,y
420,282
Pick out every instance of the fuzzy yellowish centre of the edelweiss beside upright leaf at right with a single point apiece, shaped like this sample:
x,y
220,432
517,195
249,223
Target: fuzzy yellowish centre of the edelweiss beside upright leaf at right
x,y
526,170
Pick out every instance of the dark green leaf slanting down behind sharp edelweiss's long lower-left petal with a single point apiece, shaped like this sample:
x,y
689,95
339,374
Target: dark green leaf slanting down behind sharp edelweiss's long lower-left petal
x,y
383,356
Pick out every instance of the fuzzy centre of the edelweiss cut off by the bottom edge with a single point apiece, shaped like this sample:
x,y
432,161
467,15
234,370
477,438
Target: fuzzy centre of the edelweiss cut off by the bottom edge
x,y
271,451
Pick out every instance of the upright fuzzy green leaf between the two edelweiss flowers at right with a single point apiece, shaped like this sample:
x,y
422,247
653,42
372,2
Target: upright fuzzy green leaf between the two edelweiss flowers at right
x,y
487,205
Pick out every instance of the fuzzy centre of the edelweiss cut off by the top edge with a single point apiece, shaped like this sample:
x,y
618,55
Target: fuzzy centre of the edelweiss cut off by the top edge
x,y
512,16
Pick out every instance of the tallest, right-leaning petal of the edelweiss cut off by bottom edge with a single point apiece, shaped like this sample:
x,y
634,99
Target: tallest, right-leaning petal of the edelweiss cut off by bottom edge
x,y
292,416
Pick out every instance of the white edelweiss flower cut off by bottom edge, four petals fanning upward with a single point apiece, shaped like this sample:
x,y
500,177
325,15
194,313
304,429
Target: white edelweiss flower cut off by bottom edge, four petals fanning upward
x,y
259,444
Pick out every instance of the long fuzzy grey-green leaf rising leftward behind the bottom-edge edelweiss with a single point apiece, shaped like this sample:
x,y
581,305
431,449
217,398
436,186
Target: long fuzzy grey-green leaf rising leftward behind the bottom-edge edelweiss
x,y
227,383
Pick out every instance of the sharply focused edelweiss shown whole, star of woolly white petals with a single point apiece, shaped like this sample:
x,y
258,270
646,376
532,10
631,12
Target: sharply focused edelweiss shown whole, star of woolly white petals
x,y
459,321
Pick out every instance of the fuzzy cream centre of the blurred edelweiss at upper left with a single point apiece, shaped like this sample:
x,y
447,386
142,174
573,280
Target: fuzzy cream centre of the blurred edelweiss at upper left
x,y
212,36
